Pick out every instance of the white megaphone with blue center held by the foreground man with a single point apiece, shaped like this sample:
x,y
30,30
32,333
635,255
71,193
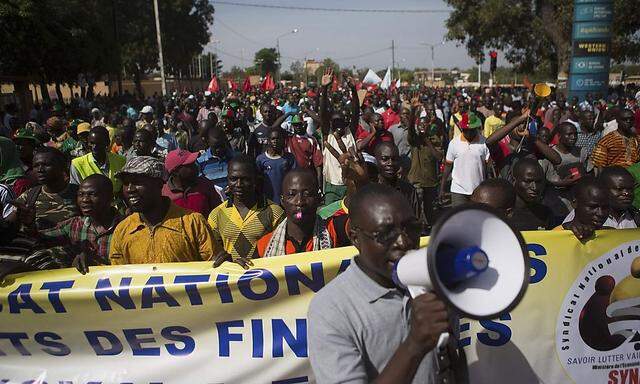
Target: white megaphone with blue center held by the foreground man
x,y
475,261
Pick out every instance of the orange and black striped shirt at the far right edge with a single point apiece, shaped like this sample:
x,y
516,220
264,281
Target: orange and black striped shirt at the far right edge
x,y
616,149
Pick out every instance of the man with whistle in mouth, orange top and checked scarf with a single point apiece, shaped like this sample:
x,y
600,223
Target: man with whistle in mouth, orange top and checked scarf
x,y
302,230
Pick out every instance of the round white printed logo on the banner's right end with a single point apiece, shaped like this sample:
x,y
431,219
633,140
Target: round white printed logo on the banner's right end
x,y
598,327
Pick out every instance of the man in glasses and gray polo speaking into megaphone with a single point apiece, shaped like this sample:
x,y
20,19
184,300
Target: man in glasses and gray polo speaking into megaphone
x,y
362,328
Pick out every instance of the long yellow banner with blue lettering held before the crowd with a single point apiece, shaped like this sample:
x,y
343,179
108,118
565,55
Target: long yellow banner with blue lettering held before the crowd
x,y
189,323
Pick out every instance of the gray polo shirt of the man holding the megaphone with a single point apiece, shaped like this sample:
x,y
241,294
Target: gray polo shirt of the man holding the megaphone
x,y
355,327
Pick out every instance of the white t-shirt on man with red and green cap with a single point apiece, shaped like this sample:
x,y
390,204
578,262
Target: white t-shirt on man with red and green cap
x,y
469,164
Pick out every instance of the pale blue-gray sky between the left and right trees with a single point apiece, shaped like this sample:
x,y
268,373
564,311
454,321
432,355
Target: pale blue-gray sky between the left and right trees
x,y
241,31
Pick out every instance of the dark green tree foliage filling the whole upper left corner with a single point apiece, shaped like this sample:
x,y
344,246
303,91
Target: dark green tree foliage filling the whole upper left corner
x,y
55,41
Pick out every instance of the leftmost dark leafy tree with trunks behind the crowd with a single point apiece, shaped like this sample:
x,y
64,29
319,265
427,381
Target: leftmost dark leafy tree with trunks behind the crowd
x,y
53,42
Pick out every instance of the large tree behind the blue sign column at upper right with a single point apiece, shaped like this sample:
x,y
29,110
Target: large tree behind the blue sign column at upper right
x,y
534,33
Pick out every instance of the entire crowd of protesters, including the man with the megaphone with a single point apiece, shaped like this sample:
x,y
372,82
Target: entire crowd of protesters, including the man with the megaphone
x,y
235,176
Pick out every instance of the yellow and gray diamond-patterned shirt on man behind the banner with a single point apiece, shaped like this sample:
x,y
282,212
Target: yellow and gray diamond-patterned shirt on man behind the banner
x,y
239,236
